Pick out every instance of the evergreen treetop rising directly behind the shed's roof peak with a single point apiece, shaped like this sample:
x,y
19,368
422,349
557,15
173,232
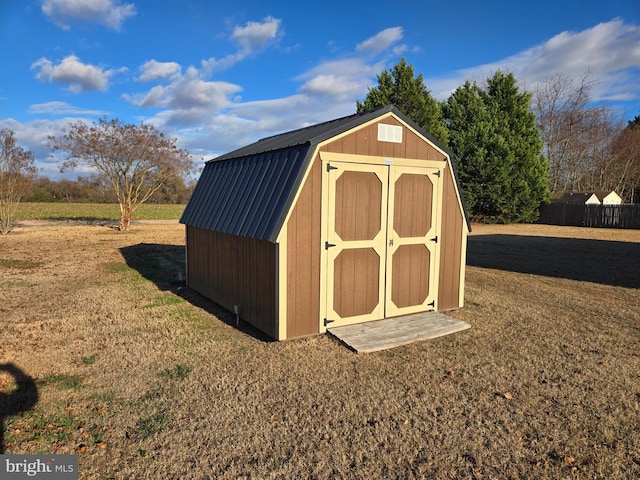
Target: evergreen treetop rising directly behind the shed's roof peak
x,y
406,91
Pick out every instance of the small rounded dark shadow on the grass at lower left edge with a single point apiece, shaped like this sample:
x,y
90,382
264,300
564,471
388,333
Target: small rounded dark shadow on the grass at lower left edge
x,y
21,399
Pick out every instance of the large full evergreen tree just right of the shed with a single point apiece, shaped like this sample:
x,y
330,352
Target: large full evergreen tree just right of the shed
x,y
504,175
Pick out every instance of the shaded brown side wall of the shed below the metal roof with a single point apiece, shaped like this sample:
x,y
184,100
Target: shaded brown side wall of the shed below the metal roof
x,y
233,270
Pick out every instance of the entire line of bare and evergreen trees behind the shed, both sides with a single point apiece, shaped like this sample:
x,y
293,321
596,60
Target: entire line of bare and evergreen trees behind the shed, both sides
x,y
513,149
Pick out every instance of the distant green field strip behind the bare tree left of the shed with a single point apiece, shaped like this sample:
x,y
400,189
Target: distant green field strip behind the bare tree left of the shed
x,y
94,211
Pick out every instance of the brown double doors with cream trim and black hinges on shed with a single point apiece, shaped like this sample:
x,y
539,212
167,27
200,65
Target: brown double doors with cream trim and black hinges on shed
x,y
381,241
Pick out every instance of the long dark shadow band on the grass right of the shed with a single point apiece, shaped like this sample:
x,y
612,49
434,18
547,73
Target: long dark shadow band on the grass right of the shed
x,y
598,261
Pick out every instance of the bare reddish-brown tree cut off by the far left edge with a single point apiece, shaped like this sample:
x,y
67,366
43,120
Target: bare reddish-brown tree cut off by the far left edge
x,y
17,172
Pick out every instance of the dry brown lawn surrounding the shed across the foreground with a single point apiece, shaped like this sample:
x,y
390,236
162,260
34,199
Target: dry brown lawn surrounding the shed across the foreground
x,y
144,383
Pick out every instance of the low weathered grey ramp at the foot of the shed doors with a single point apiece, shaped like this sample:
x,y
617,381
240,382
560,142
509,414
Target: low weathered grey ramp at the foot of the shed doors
x,y
393,332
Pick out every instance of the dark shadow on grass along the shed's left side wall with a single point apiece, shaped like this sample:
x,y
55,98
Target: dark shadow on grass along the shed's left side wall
x,y
164,265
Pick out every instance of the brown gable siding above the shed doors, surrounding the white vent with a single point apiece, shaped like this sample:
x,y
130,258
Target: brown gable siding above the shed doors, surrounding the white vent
x,y
364,141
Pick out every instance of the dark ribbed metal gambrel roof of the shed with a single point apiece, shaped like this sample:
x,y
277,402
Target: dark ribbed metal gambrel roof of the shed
x,y
249,191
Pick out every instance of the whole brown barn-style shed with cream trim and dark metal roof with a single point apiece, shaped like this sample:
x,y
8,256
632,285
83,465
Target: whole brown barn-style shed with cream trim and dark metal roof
x,y
351,220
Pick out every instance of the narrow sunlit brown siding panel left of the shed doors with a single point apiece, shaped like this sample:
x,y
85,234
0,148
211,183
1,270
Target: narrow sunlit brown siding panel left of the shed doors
x,y
303,258
